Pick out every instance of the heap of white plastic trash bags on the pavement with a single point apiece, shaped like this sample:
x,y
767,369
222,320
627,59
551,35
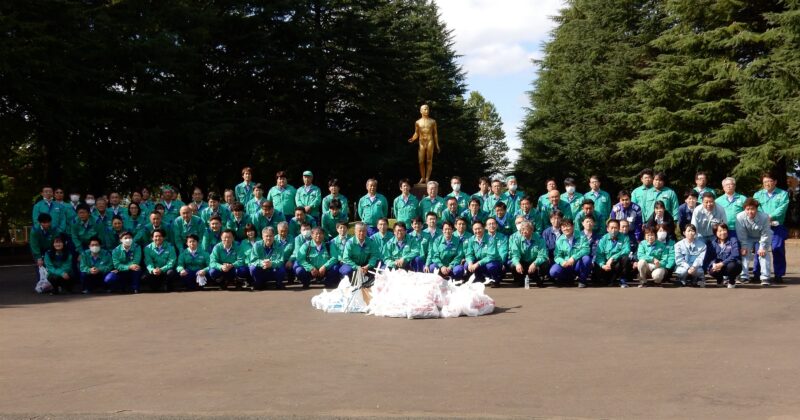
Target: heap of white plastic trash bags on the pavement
x,y
403,294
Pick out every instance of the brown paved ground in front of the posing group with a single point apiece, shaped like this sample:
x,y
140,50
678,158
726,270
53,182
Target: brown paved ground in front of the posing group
x,y
638,353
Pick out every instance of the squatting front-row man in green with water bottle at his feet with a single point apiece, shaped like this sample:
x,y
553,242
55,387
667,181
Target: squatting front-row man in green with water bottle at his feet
x,y
528,255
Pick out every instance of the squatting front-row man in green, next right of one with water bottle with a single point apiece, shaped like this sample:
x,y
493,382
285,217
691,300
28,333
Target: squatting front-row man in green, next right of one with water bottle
x,y
568,257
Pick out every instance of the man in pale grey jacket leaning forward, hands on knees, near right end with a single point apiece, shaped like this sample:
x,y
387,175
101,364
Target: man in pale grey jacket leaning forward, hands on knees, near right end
x,y
755,236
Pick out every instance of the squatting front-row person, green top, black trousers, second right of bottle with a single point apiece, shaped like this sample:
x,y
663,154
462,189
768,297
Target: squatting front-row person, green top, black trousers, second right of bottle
x,y
611,258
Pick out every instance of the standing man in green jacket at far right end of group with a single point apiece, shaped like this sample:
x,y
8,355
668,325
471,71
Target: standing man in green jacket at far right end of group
x,y
775,202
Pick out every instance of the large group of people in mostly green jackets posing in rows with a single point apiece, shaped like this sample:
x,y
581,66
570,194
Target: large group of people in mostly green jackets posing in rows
x,y
256,236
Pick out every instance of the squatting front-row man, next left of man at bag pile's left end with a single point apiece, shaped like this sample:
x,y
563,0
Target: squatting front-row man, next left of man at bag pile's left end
x,y
268,261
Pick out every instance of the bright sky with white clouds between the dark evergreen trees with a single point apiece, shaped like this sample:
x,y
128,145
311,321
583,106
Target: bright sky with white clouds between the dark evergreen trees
x,y
497,39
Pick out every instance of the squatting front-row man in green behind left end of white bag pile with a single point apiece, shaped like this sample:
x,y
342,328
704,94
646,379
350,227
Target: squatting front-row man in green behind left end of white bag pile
x,y
314,261
